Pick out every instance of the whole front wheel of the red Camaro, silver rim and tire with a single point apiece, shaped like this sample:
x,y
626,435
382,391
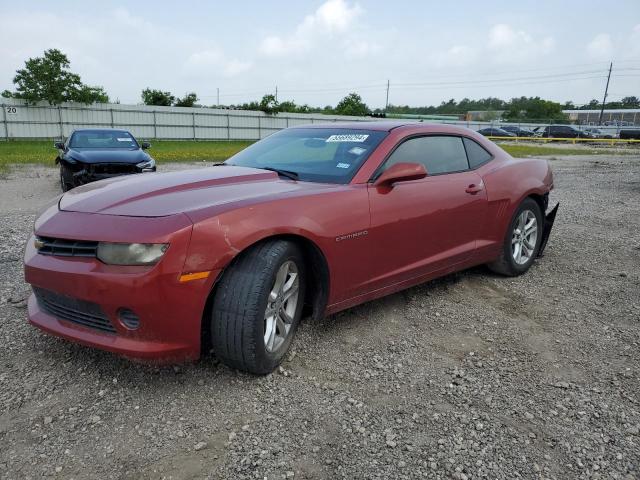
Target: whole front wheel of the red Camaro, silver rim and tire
x,y
257,306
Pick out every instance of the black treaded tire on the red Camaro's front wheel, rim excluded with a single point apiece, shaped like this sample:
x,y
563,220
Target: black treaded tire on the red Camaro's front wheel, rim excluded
x,y
239,307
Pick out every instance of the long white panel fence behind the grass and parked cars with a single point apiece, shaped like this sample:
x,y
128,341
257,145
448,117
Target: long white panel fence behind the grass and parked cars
x,y
22,121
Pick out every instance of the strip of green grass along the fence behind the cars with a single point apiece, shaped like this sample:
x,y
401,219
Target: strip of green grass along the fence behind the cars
x,y
40,151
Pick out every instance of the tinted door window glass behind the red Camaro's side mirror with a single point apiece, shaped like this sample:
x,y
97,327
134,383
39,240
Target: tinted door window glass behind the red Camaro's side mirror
x,y
444,154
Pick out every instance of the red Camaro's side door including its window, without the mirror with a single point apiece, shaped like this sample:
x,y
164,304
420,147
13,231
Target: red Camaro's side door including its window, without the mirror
x,y
422,226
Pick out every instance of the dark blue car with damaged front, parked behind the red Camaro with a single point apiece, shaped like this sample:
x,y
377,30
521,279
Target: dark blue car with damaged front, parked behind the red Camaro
x,y
95,154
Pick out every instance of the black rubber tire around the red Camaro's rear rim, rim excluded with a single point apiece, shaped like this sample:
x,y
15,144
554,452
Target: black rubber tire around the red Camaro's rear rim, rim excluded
x,y
506,263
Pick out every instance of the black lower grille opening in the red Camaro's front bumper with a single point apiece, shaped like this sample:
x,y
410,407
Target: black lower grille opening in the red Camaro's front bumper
x,y
81,312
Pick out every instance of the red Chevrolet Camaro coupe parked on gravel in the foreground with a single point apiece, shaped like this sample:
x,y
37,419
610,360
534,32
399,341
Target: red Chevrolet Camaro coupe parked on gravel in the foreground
x,y
307,222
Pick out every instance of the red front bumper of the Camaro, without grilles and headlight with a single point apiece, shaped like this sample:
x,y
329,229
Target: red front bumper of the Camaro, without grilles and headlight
x,y
169,311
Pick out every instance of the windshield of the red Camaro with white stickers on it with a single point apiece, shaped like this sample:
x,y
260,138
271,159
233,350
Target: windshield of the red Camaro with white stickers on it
x,y
328,155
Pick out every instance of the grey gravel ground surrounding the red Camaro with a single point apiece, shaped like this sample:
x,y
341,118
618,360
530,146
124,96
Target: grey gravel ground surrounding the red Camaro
x,y
470,376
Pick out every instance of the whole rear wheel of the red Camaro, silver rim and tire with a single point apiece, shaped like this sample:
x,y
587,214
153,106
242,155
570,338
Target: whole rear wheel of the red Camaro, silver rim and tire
x,y
522,241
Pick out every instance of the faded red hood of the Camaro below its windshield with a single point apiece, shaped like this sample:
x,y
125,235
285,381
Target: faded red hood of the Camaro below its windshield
x,y
161,194
